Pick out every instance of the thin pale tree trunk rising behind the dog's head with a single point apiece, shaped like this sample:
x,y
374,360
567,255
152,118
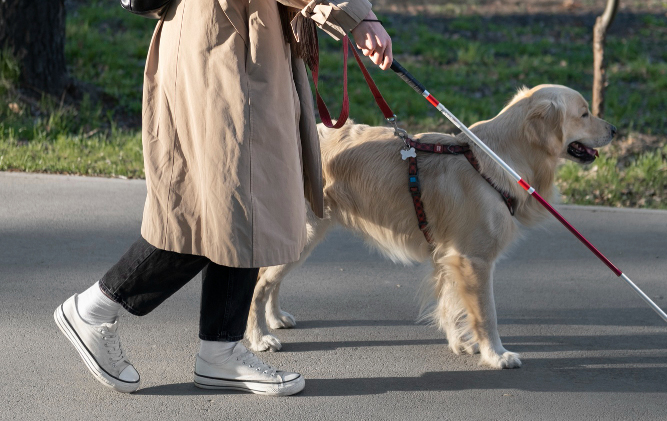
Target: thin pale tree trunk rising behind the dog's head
x,y
599,77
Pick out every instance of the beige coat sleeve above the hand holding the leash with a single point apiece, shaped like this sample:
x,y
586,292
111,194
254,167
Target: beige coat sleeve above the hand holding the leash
x,y
335,17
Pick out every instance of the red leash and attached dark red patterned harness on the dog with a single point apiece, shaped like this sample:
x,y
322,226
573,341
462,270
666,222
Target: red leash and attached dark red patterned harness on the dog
x,y
410,145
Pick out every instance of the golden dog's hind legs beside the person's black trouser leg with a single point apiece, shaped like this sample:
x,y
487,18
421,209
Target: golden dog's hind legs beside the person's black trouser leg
x,y
265,309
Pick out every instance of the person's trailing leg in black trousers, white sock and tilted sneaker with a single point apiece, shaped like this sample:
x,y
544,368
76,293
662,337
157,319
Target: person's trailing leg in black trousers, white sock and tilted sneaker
x,y
140,281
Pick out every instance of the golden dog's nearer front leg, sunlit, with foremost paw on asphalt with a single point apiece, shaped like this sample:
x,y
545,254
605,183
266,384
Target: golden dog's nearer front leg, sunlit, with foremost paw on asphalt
x,y
476,291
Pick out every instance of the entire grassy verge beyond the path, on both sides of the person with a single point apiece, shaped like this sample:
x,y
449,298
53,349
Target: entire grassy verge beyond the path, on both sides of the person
x,y
474,64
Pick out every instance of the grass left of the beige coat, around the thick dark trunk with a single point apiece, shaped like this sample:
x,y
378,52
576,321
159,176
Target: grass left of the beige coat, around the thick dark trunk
x,y
106,47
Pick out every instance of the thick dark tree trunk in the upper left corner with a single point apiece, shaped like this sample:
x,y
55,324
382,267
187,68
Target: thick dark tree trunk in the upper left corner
x,y
34,31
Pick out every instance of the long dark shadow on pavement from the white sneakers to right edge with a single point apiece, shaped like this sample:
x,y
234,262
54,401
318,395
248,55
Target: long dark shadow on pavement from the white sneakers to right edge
x,y
553,375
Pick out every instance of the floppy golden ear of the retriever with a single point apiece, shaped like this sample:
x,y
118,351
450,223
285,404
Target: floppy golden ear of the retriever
x,y
544,121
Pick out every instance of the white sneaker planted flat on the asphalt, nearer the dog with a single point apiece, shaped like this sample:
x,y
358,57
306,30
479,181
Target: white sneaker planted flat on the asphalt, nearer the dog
x,y
245,371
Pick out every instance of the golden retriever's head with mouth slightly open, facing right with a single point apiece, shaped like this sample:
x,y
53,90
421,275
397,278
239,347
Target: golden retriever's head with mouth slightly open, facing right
x,y
558,120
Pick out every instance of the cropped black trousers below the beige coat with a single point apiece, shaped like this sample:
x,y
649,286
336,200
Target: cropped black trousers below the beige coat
x,y
146,276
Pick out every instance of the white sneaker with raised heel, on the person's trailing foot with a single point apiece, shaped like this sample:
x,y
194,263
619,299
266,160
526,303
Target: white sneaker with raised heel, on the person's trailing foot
x,y
99,348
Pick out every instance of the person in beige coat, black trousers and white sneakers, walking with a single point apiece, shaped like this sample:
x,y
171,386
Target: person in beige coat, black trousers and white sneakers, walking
x,y
230,148
